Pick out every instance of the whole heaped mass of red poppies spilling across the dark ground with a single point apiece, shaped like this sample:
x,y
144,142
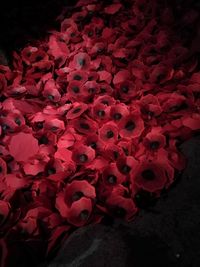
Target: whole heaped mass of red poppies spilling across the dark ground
x,y
91,117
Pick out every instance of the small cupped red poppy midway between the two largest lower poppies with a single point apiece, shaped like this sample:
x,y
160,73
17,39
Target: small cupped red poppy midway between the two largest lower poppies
x,y
111,175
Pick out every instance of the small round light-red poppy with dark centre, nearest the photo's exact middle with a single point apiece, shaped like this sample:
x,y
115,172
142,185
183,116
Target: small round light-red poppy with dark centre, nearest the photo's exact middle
x,y
108,132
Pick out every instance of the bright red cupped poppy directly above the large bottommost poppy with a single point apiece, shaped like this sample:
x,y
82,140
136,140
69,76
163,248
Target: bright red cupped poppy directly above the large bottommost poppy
x,y
83,154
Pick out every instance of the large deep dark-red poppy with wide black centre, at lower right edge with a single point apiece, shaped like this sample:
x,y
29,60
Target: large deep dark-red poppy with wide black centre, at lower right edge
x,y
150,176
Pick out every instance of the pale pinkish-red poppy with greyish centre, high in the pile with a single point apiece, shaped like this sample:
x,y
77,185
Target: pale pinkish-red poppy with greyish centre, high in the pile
x,y
81,61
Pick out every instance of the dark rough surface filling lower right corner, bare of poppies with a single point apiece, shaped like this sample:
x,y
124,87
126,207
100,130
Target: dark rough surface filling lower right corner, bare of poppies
x,y
166,234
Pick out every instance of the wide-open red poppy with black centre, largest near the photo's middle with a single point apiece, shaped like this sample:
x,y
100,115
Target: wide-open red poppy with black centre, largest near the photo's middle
x,y
131,126
